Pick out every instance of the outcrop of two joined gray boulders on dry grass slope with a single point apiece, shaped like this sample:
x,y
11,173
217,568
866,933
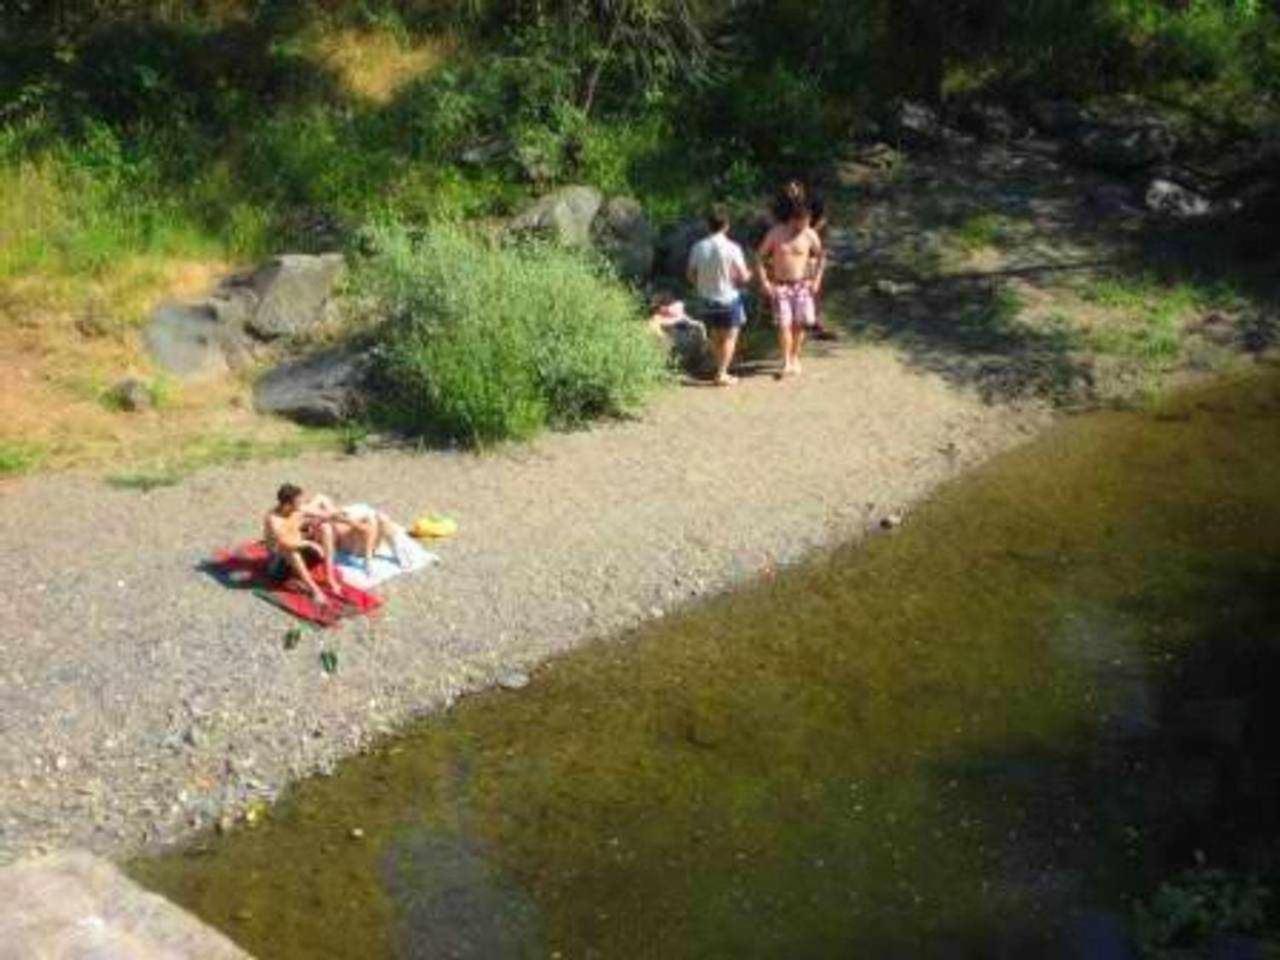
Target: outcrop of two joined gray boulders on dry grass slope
x,y
289,299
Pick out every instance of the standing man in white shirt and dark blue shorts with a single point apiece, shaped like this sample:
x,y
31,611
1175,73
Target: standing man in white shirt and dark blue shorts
x,y
717,268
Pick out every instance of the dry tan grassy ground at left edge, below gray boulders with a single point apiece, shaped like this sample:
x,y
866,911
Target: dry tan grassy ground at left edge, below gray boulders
x,y
66,341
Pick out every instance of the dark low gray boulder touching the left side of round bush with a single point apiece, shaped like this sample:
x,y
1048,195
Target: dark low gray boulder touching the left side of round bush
x,y
323,390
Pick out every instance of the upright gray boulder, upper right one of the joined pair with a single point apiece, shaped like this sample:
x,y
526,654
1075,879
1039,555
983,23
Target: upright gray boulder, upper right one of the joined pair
x,y
294,295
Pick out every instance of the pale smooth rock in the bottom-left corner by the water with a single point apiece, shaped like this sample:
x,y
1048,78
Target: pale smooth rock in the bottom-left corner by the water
x,y
75,907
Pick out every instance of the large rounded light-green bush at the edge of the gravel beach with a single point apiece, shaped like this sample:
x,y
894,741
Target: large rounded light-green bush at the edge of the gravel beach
x,y
483,344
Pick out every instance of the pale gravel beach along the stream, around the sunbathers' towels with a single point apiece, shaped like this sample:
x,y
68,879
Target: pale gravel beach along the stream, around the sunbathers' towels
x,y
141,701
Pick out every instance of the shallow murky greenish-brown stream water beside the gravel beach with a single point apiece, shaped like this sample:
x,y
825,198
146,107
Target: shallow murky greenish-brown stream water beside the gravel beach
x,y
971,738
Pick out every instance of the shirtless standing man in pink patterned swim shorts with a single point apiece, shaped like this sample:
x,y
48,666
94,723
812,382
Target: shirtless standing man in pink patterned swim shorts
x,y
790,269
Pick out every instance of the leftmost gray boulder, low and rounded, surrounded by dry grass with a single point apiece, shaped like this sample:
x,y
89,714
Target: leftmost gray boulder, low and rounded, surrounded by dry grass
x,y
193,342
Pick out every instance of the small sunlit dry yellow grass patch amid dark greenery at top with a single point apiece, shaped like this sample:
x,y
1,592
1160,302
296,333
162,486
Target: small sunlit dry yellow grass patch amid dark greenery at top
x,y
377,65
